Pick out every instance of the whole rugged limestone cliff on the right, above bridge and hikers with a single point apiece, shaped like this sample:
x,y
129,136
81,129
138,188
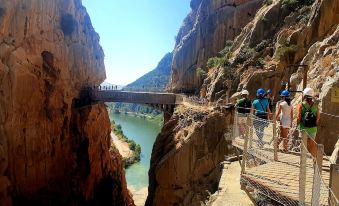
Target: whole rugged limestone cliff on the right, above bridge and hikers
x,y
278,34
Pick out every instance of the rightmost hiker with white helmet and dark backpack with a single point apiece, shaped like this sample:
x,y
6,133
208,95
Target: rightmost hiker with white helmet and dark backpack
x,y
308,113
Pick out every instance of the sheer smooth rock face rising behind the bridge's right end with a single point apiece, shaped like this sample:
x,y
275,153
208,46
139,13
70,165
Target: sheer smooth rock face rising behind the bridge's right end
x,y
204,33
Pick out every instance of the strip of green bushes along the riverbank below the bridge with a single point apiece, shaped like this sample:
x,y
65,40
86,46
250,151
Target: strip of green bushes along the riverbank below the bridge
x,y
136,148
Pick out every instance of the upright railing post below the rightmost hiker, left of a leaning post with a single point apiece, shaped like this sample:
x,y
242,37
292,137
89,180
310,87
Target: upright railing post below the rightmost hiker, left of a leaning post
x,y
302,174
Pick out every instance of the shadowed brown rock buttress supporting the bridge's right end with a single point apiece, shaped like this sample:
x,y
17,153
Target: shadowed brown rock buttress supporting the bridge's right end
x,y
186,156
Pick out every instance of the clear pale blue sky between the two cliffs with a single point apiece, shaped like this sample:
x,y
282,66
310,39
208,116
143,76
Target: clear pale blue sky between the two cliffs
x,y
135,34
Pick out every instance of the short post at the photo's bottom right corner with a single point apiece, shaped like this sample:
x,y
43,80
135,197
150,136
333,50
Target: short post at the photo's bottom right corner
x,y
334,179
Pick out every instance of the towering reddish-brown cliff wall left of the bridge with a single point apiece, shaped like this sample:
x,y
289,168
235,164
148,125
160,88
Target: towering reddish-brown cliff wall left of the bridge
x,y
52,153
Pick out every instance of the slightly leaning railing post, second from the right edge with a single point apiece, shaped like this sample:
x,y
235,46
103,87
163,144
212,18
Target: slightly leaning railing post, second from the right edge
x,y
318,164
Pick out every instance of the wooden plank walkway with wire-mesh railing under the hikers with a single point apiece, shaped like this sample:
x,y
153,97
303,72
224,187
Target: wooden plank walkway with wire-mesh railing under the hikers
x,y
299,175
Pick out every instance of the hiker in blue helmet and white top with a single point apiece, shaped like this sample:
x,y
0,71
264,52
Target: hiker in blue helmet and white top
x,y
285,117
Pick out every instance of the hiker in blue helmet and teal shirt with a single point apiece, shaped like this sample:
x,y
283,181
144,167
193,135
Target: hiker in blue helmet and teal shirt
x,y
261,109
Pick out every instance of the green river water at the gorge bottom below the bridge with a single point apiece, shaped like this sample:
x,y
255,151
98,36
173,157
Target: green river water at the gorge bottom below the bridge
x,y
143,132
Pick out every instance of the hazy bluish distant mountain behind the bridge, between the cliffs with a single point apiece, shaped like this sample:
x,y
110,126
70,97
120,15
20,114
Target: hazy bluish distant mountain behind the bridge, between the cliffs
x,y
155,80
